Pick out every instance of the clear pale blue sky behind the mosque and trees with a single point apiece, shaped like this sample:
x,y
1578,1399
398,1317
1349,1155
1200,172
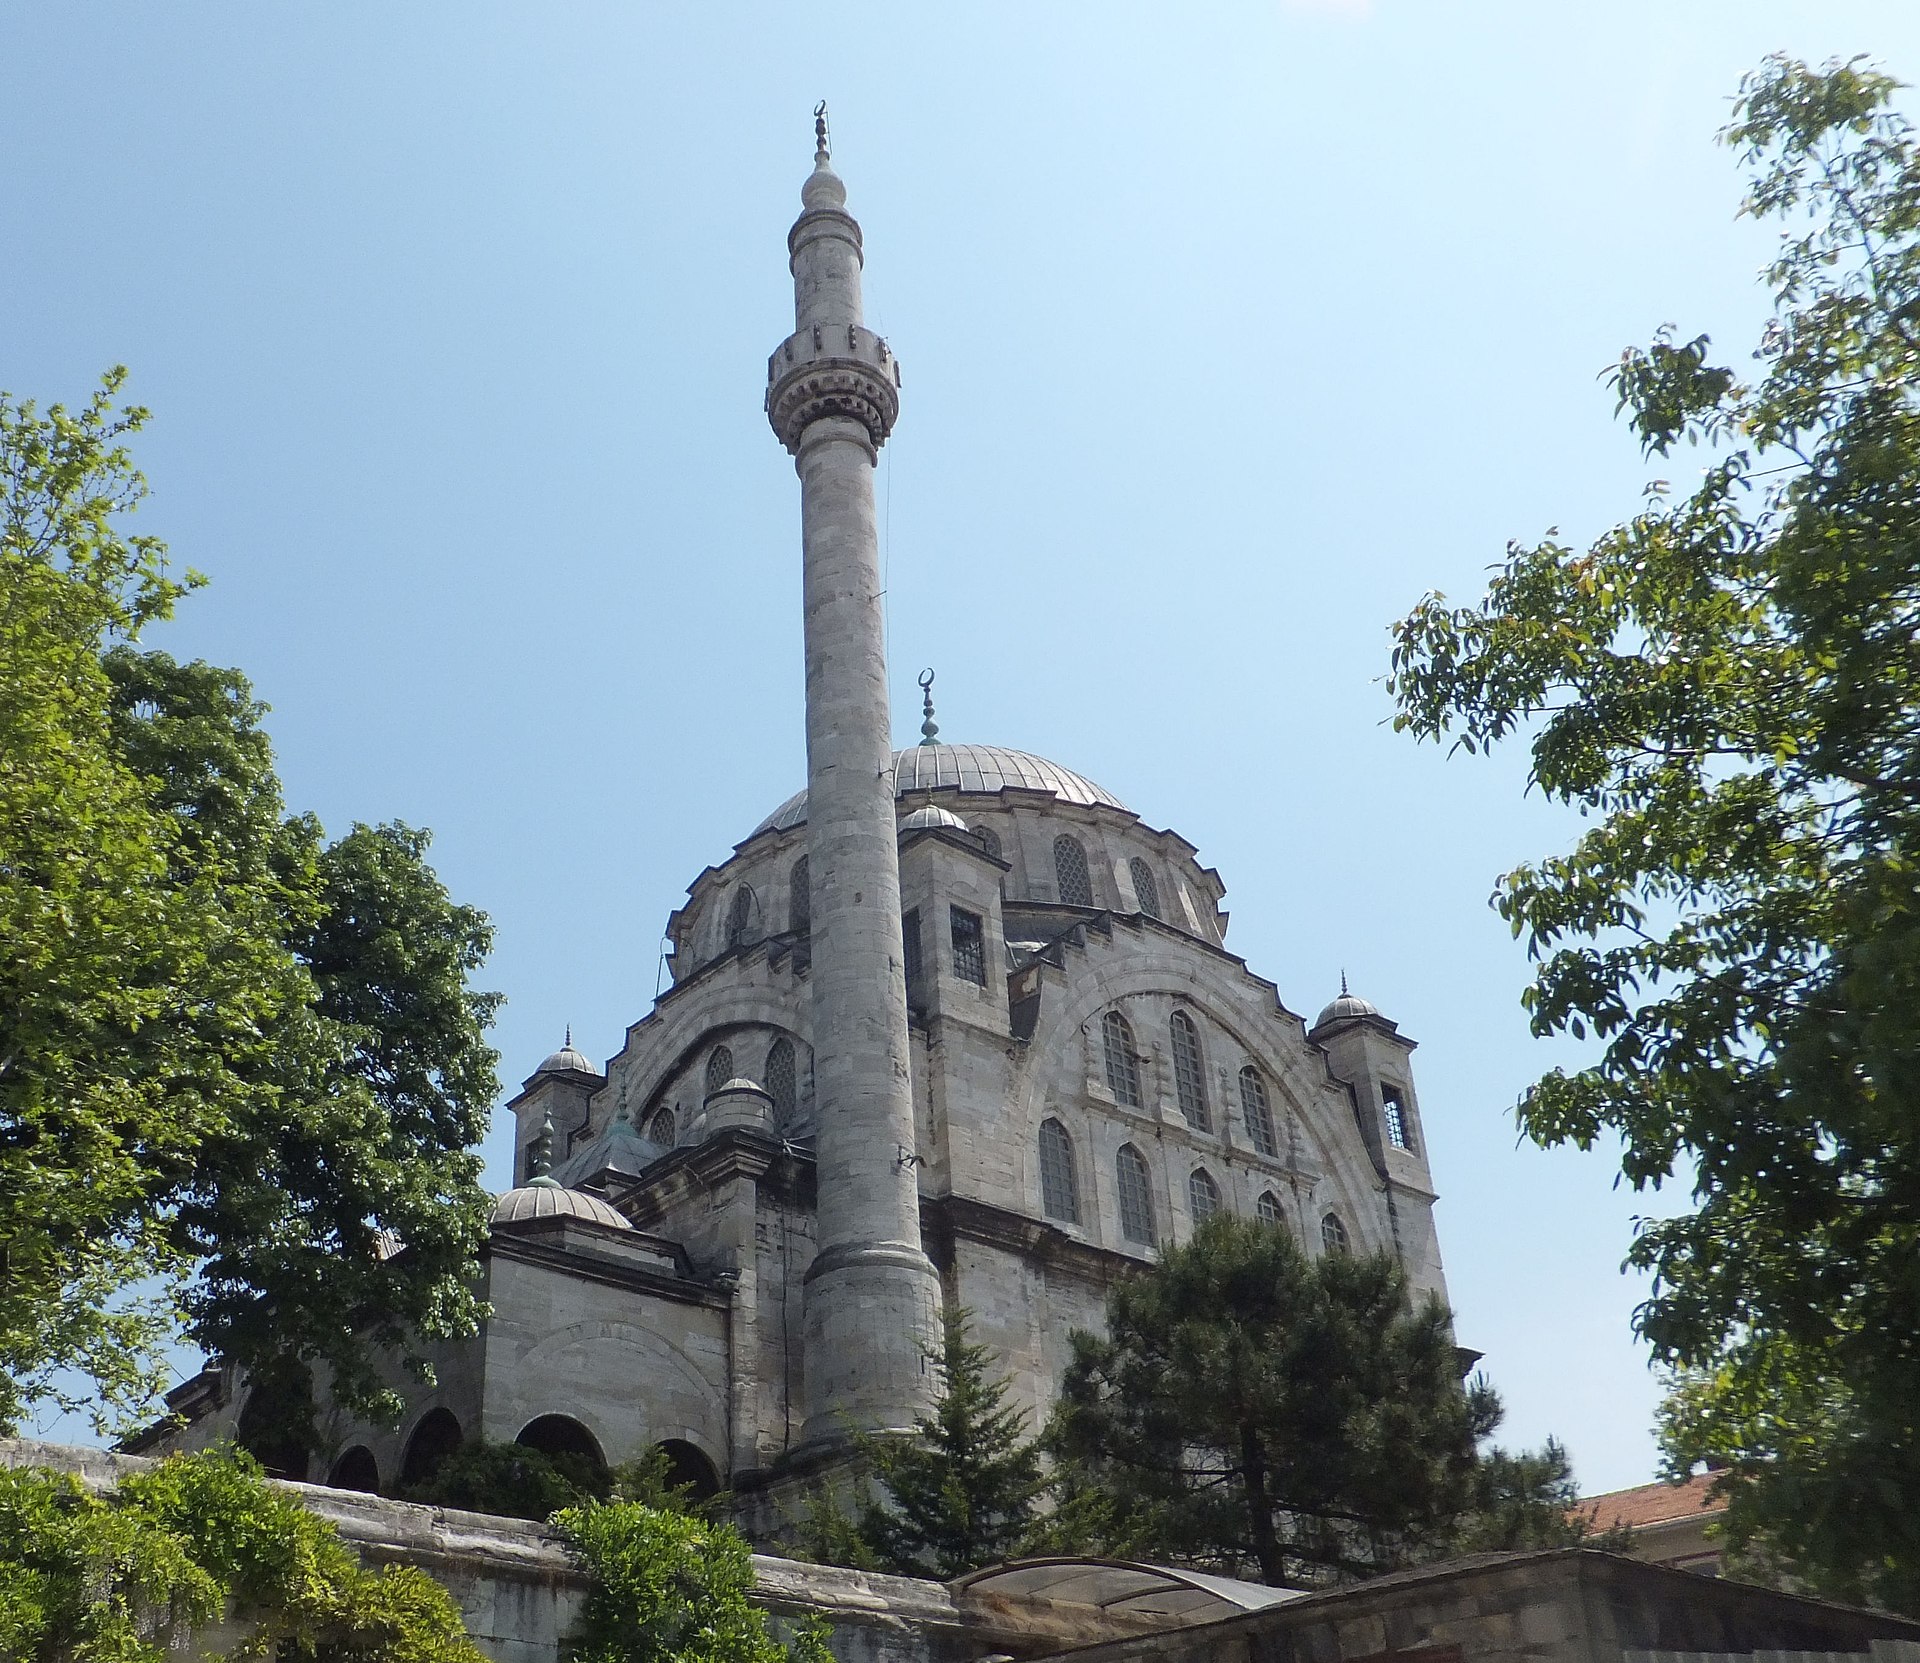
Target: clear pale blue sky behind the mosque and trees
x,y
1228,333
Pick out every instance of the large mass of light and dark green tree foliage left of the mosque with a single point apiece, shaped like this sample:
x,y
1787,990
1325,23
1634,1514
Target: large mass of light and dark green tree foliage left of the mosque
x,y
239,1065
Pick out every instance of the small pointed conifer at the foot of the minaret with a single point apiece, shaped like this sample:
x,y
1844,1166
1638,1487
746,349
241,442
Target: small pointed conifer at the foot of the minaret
x,y
965,1489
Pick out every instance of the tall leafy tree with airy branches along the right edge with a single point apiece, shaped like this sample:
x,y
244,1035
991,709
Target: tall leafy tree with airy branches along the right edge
x,y
1729,687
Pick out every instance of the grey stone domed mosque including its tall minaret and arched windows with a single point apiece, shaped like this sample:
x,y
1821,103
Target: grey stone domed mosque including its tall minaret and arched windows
x,y
951,1026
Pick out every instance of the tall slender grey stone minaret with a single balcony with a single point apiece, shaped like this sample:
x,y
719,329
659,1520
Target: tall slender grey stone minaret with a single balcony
x,y
873,1295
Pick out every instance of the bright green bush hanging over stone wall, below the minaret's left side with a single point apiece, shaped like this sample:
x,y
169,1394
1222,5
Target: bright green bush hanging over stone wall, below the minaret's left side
x,y
671,1589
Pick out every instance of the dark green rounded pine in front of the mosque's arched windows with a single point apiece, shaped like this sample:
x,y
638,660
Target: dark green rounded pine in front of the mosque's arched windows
x,y
1278,1416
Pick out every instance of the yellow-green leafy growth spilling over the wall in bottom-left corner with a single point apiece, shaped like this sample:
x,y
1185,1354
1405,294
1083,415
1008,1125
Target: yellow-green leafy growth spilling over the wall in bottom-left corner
x,y
135,1574
